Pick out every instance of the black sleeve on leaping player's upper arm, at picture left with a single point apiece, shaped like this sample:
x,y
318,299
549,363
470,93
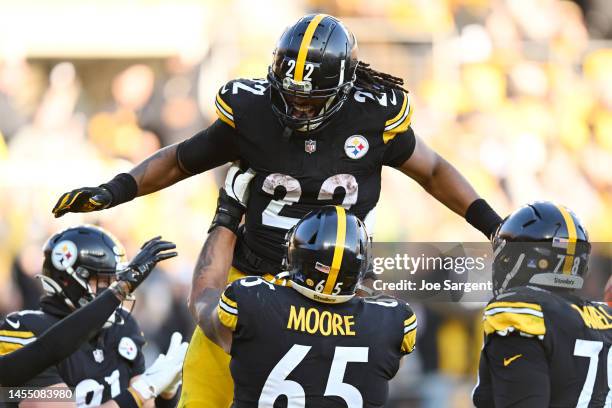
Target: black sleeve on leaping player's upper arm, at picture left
x,y
208,149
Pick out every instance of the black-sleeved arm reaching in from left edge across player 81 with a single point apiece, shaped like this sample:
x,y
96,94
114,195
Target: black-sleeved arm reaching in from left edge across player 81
x,y
20,362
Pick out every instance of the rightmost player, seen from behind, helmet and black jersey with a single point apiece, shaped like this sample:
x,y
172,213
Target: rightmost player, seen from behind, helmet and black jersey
x,y
544,346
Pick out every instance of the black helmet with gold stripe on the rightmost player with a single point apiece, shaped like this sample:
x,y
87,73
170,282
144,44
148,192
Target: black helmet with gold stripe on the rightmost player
x,y
542,244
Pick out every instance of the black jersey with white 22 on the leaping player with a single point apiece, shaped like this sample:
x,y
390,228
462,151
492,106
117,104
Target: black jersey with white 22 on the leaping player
x,y
339,164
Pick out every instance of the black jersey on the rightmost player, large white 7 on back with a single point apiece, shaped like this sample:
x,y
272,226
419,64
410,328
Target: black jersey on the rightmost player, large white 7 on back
x,y
575,335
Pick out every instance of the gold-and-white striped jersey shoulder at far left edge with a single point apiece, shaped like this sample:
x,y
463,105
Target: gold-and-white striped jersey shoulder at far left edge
x,y
19,329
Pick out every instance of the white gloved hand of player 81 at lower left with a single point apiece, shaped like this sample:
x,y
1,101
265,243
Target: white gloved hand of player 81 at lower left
x,y
163,374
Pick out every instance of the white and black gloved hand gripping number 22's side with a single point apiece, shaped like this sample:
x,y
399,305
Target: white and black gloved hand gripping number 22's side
x,y
233,197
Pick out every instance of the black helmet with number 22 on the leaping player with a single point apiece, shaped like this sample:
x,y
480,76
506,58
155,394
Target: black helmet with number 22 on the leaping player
x,y
313,68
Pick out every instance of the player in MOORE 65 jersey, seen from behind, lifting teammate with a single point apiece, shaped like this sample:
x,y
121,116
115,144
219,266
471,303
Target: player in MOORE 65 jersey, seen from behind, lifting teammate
x,y
292,341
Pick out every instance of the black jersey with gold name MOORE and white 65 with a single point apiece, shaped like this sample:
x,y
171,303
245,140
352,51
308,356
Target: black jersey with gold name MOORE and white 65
x,y
288,350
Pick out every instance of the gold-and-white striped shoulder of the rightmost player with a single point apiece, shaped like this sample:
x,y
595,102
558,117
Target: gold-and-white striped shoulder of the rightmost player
x,y
519,311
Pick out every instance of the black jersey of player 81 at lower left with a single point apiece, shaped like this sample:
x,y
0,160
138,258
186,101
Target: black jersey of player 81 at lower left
x,y
98,371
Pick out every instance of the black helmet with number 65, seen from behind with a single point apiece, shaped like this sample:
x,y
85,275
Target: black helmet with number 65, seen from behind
x,y
327,254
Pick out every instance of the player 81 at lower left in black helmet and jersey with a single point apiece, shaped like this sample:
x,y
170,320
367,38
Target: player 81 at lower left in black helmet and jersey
x,y
79,264
